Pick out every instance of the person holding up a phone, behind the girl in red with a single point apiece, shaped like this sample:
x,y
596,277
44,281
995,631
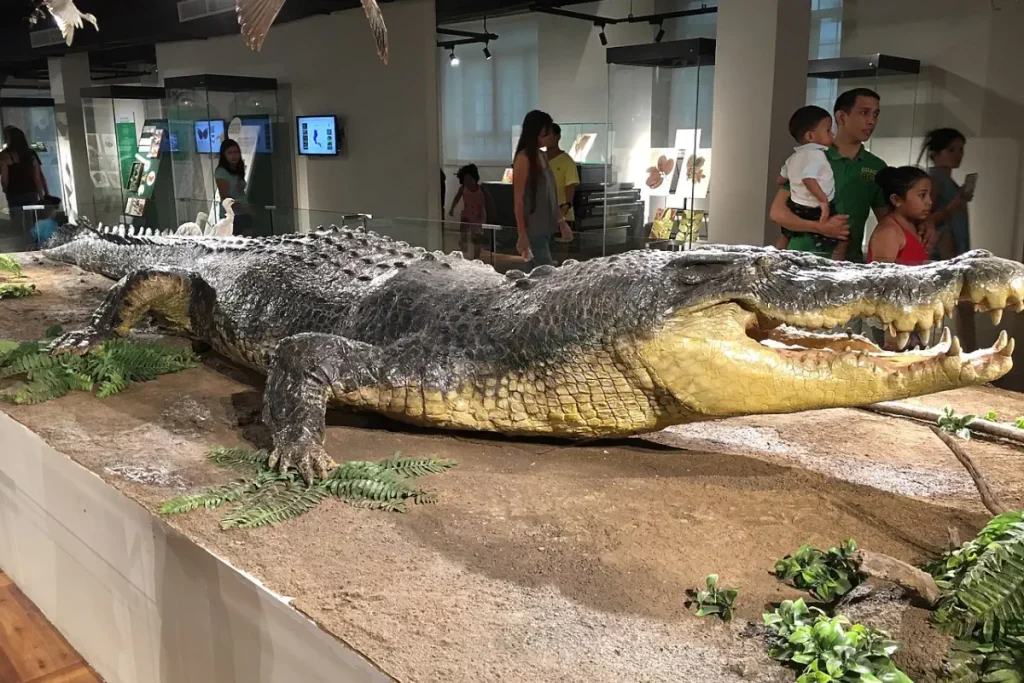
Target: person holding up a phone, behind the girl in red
x,y
945,148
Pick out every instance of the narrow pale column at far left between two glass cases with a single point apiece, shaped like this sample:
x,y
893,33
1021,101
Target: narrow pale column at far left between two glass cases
x,y
68,76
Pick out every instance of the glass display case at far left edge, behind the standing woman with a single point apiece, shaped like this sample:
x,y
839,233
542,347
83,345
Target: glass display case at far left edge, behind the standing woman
x,y
37,119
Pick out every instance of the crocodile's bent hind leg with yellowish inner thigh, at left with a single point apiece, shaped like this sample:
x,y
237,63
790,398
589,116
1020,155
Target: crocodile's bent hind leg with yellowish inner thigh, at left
x,y
184,300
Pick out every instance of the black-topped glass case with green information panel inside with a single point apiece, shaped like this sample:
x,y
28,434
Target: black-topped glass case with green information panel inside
x,y
116,119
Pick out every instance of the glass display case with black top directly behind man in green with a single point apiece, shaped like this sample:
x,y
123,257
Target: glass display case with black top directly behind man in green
x,y
898,80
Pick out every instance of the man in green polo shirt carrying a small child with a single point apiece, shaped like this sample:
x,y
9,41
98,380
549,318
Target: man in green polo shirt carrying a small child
x,y
855,168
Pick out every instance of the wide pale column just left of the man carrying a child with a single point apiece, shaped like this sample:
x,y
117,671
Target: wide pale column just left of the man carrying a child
x,y
760,80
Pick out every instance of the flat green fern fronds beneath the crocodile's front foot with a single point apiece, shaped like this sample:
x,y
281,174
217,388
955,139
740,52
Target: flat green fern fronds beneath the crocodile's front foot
x,y
268,497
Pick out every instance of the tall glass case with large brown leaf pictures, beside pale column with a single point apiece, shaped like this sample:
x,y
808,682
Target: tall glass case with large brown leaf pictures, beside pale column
x,y
658,177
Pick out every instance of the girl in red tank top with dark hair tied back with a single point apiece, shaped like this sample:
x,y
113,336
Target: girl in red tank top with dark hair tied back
x,y
909,191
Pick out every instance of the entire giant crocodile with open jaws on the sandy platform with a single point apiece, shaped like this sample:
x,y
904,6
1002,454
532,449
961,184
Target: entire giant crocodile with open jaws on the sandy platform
x,y
613,347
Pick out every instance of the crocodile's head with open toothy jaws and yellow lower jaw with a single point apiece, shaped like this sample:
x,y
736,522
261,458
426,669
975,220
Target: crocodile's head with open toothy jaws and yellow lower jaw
x,y
747,330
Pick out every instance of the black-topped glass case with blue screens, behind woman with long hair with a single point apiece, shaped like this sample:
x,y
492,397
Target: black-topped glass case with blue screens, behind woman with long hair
x,y
205,110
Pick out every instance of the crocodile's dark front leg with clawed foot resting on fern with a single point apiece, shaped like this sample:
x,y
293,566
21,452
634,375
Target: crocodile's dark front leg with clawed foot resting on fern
x,y
306,370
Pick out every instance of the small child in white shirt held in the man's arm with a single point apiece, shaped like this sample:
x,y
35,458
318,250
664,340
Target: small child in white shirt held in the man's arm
x,y
813,186
